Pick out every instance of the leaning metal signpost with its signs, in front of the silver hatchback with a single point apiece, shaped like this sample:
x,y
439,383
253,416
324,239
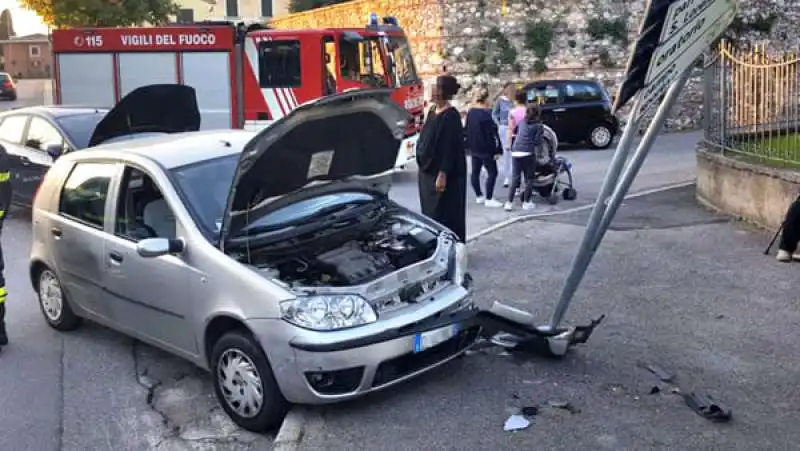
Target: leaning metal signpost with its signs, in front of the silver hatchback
x,y
672,36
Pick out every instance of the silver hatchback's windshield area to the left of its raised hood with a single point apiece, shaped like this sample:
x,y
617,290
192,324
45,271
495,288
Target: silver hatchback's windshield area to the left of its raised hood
x,y
205,186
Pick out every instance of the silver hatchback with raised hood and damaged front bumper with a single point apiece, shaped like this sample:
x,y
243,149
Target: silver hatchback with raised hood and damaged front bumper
x,y
274,260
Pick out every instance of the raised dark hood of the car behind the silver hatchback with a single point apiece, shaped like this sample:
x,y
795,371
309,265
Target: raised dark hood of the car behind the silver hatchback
x,y
152,108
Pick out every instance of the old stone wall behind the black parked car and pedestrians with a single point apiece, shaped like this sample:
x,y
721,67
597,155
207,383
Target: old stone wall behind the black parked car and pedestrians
x,y
483,42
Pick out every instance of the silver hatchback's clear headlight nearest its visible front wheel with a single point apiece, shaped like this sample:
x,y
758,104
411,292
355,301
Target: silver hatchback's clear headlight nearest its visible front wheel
x,y
328,312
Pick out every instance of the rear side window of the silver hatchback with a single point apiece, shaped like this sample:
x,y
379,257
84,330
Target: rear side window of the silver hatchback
x,y
83,197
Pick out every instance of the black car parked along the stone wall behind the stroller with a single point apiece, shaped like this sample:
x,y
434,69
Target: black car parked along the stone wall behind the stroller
x,y
577,110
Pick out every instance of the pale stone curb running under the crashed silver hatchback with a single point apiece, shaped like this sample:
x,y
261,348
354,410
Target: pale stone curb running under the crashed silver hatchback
x,y
294,426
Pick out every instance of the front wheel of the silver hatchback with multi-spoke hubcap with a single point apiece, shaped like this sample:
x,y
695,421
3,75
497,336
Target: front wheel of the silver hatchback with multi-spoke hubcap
x,y
244,383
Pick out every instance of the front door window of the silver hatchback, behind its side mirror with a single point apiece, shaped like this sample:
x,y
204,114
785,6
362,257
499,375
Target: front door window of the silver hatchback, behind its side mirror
x,y
142,211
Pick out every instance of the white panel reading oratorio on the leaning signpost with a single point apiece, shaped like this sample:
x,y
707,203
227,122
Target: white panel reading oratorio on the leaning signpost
x,y
692,38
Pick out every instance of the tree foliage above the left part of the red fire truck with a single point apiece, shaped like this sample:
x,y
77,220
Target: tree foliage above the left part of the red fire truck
x,y
102,13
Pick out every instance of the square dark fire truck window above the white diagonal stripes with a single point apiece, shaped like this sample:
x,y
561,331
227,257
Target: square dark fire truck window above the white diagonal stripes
x,y
279,64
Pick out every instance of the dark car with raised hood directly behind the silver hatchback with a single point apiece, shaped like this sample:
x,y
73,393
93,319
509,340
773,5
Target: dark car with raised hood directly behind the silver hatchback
x,y
35,136
